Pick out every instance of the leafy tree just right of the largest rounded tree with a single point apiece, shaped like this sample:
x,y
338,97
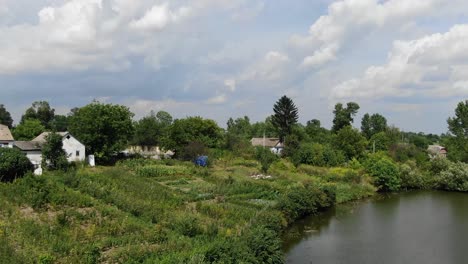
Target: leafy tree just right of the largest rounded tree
x,y
152,130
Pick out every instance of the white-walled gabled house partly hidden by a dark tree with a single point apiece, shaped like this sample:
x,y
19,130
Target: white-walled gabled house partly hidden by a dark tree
x,y
75,149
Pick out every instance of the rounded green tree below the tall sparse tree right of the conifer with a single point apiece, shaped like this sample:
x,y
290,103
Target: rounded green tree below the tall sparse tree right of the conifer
x,y
351,142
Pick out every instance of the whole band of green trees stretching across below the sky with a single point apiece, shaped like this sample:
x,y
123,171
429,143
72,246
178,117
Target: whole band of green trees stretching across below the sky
x,y
106,129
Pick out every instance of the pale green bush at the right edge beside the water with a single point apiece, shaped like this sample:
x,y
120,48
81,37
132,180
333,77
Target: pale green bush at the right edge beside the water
x,y
453,178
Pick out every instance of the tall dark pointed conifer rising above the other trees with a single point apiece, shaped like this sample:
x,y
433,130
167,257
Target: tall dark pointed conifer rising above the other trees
x,y
285,116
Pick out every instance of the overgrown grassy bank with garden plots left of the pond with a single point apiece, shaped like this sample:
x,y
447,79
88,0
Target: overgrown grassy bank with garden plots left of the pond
x,y
143,211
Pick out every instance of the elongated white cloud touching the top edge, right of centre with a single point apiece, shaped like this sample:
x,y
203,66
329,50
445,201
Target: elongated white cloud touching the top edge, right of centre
x,y
353,19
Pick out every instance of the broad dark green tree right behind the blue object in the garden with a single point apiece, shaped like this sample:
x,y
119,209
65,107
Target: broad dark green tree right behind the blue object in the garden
x,y
193,129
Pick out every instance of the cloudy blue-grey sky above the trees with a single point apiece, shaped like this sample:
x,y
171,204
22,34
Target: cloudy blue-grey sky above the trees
x,y
405,59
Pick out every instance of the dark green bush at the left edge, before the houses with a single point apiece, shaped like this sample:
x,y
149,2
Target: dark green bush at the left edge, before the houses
x,y
13,164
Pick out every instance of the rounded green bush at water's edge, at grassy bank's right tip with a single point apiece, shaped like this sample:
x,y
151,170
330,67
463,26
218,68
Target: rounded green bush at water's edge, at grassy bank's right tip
x,y
385,172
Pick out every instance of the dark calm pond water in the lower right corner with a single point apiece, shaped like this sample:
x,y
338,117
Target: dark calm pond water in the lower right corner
x,y
414,227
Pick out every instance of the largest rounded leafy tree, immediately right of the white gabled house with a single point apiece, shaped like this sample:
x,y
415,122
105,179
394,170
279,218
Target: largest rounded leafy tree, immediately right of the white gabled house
x,y
105,129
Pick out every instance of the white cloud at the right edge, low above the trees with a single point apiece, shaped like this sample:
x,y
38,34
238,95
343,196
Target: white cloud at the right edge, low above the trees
x,y
432,66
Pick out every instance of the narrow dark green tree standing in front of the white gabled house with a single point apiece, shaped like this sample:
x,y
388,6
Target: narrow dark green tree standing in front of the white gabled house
x,y
54,156
